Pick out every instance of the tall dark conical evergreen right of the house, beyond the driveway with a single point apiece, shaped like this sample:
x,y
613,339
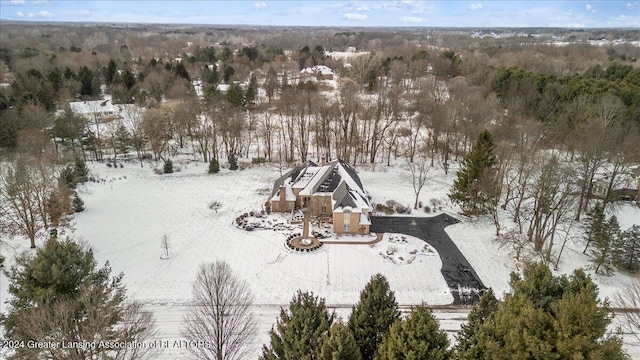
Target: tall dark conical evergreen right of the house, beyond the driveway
x,y
470,188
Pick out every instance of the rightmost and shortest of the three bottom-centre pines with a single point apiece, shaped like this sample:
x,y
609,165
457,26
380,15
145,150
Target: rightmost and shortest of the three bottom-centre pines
x,y
416,337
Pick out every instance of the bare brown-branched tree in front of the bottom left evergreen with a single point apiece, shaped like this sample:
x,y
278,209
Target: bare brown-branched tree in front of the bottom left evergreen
x,y
105,320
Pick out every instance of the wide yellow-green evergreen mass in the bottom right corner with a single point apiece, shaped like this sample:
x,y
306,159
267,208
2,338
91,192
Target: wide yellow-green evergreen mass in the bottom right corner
x,y
546,317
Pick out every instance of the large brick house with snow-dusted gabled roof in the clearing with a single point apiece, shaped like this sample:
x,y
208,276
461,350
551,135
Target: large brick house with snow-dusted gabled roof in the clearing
x,y
332,190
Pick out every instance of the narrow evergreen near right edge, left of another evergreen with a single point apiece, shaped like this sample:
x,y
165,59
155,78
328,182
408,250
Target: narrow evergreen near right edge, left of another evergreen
x,y
604,250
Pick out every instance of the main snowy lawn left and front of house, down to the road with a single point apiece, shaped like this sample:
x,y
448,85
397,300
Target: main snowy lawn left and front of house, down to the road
x,y
127,217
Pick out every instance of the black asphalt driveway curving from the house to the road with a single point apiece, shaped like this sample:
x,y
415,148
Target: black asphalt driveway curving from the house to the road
x,y
466,287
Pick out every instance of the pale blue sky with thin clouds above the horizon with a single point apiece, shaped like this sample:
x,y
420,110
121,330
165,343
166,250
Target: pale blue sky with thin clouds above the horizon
x,y
582,14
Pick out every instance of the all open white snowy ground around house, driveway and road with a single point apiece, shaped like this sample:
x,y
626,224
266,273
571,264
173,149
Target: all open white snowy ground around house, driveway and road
x,y
131,208
